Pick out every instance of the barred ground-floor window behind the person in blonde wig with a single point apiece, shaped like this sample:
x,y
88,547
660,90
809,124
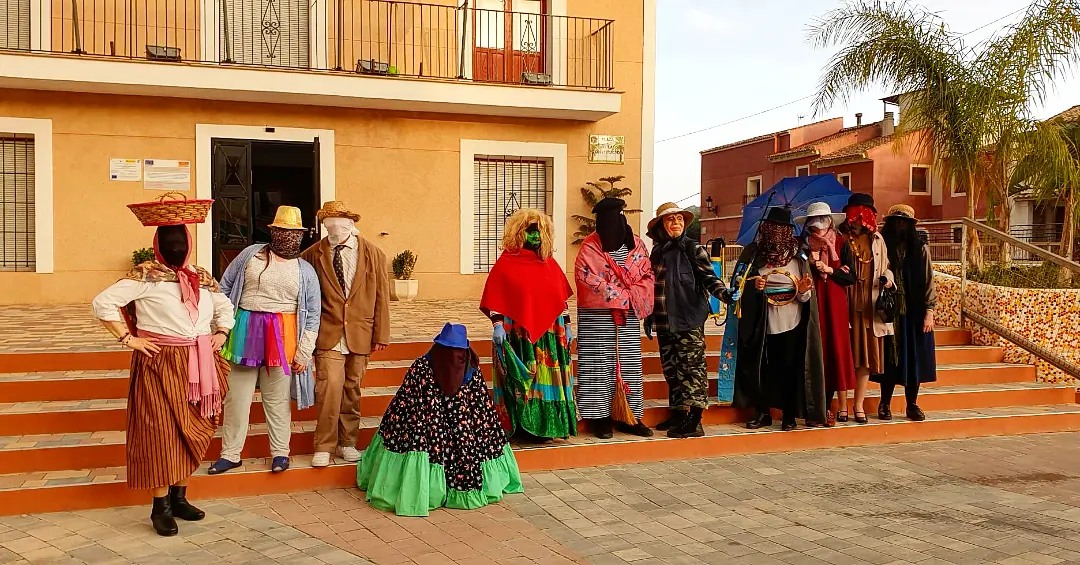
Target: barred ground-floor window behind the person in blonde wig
x,y
503,185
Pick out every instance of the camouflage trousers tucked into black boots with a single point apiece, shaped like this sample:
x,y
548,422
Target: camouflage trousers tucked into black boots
x,y
683,357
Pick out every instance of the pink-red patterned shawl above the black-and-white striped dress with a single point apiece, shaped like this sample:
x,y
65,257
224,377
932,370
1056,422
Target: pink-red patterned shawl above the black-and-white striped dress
x,y
604,285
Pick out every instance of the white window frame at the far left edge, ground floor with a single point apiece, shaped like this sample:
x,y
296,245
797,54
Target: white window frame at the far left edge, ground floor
x,y
44,210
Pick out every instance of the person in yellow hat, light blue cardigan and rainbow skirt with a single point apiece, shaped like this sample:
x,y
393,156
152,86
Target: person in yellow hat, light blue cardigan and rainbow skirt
x,y
277,298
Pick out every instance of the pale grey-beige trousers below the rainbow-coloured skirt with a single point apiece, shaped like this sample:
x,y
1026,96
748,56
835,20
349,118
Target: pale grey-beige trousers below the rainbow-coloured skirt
x,y
275,387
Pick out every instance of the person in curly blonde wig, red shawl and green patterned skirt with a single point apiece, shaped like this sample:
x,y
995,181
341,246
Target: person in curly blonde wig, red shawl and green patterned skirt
x,y
525,299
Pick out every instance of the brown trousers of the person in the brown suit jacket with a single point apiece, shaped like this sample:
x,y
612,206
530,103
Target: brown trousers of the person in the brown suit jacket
x,y
339,380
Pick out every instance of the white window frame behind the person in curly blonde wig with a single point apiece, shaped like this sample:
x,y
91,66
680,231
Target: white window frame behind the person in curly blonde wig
x,y
474,149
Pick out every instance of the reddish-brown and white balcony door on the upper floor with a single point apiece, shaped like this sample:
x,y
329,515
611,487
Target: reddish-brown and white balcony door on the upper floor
x,y
508,39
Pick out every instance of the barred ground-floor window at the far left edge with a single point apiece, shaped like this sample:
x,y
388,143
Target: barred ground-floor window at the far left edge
x,y
18,246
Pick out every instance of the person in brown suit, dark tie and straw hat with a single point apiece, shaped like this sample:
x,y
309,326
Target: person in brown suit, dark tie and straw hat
x,y
356,322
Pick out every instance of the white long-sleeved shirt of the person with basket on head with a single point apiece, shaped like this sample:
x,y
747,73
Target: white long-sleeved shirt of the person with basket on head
x,y
159,310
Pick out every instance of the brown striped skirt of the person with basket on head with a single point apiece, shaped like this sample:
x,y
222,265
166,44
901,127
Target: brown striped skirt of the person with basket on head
x,y
167,437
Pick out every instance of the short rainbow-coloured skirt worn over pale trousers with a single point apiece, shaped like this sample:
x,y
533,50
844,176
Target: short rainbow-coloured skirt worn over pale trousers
x,y
263,340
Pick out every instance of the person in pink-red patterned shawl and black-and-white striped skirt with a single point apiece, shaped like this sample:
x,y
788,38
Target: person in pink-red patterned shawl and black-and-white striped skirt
x,y
615,295
